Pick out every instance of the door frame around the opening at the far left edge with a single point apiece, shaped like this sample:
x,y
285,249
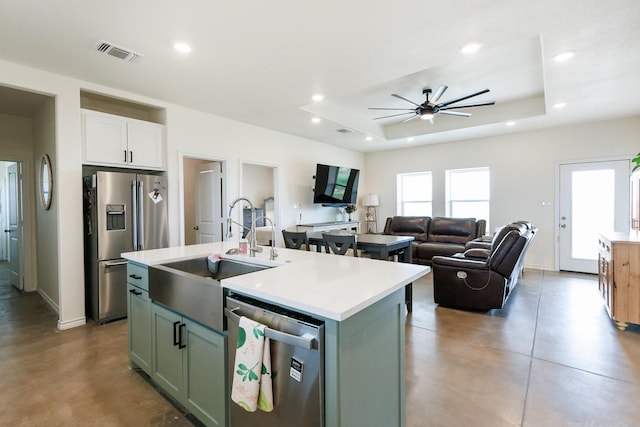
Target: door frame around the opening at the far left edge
x,y
26,246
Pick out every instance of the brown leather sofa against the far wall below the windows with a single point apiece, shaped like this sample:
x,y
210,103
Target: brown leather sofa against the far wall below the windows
x,y
435,236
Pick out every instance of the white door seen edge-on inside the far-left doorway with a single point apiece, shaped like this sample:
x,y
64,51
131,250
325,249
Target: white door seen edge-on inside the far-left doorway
x,y
14,223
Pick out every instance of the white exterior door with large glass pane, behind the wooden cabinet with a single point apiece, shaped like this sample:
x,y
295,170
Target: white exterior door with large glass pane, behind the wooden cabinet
x,y
594,197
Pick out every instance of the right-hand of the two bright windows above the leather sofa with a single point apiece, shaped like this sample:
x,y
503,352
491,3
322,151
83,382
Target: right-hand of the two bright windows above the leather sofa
x,y
468,193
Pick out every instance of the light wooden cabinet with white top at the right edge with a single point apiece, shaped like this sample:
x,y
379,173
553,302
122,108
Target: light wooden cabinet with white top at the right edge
x,y
619,276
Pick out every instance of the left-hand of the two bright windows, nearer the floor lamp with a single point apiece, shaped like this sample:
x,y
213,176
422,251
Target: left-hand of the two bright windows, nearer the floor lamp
x,y
415,194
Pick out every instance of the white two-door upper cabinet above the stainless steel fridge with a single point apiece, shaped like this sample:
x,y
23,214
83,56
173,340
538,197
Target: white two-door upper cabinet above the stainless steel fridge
x,y
112,140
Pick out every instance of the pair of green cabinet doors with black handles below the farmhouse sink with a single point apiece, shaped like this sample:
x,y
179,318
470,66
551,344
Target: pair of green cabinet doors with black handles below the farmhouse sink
x,y
189,363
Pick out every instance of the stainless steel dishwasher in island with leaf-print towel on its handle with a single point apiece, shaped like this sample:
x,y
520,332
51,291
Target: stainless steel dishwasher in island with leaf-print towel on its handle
x,y
297,364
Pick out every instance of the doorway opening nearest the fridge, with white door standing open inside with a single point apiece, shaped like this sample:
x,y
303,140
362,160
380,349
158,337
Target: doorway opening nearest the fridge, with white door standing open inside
x,y
203,199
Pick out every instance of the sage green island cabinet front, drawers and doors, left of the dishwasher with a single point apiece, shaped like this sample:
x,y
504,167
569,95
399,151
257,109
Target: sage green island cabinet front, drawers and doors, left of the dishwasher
x,y
187,360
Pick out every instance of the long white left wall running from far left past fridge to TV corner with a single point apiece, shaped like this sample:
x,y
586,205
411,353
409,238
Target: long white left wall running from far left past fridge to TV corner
x,y
188,131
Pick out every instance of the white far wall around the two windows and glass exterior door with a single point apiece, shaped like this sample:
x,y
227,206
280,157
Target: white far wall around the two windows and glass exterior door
x,y
523,172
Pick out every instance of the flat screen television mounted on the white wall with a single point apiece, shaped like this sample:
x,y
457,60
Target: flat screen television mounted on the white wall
x,y
336,185
